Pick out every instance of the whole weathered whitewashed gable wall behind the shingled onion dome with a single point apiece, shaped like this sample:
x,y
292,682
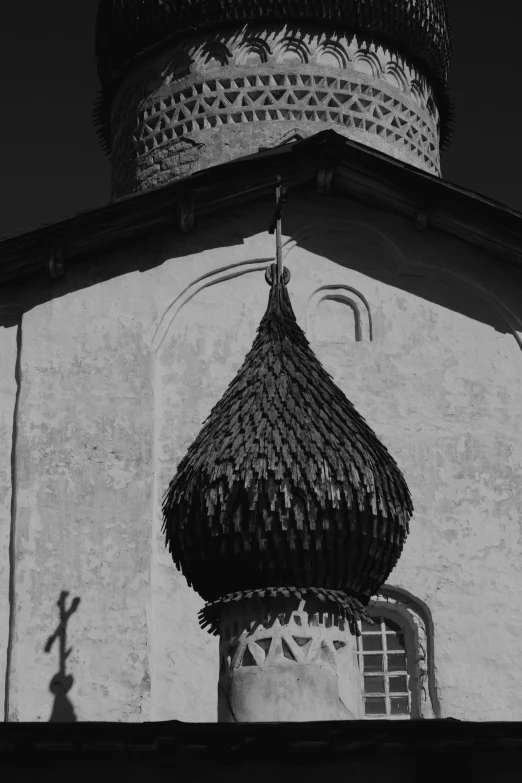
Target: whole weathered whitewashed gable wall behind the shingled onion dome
x,y
119,376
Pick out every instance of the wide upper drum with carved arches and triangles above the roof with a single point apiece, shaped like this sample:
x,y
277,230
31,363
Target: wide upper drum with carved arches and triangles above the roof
x,y
202,103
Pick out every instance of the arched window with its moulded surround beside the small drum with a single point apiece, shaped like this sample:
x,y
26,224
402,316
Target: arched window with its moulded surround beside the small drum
x,y
396,658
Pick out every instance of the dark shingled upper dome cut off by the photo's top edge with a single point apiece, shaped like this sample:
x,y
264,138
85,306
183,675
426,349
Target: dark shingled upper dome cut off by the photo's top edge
x,y
417,28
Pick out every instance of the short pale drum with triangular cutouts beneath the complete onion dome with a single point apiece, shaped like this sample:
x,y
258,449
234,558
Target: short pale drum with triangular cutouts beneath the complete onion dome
x,y
287,659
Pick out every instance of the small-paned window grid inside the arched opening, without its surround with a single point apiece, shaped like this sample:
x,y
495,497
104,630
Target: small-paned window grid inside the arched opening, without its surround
x,y
383,660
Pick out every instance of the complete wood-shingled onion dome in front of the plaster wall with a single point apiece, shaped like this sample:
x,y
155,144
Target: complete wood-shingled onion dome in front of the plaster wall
x,y
286,485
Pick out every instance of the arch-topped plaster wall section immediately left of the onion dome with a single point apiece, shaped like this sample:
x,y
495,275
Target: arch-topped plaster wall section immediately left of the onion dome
x,y
200,354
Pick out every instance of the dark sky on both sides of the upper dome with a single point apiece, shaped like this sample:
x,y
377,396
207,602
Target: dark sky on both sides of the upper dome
x,y
52,166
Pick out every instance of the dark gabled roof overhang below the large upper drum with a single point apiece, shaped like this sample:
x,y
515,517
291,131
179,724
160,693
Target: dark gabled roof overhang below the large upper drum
x,y
355,170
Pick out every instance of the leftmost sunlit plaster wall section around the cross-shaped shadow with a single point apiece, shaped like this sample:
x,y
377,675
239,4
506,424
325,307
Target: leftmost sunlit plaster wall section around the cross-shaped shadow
x,y
84,504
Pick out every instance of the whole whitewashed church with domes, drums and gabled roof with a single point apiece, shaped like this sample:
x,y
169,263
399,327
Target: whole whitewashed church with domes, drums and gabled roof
x,y
260,413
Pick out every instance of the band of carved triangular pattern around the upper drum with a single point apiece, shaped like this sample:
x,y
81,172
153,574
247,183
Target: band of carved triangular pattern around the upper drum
x,y
287,96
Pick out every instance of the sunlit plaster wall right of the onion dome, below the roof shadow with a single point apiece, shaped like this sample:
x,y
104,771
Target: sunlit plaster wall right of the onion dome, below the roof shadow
x,y
442,393
